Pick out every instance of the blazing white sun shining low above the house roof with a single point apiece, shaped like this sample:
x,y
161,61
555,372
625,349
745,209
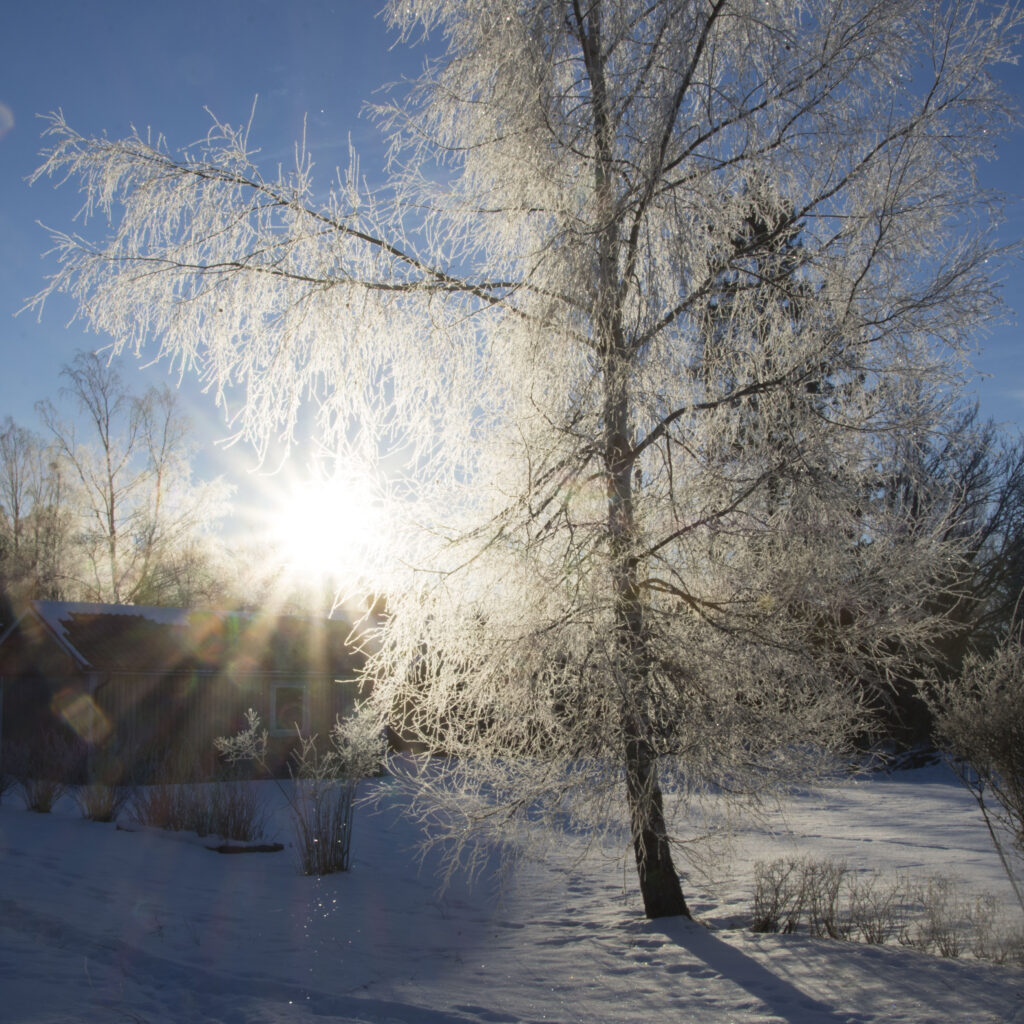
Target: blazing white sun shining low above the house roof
x,y
330,528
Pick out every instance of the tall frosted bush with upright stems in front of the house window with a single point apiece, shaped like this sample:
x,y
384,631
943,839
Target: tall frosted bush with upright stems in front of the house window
x,y
324,782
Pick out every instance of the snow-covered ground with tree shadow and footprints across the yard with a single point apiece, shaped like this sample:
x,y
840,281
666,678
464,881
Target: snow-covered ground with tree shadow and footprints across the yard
x,y
105,925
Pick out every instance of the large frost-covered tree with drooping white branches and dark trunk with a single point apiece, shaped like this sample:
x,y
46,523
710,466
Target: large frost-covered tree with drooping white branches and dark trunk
x,y
651,296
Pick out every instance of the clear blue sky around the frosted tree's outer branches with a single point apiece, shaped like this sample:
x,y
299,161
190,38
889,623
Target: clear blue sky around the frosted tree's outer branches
x,y
117,63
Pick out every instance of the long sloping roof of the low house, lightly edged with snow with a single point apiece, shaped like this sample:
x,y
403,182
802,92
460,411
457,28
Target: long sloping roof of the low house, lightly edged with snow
x,y
146,639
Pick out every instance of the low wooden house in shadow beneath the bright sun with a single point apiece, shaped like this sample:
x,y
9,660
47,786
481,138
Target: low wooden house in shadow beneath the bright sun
x,y
145,684
